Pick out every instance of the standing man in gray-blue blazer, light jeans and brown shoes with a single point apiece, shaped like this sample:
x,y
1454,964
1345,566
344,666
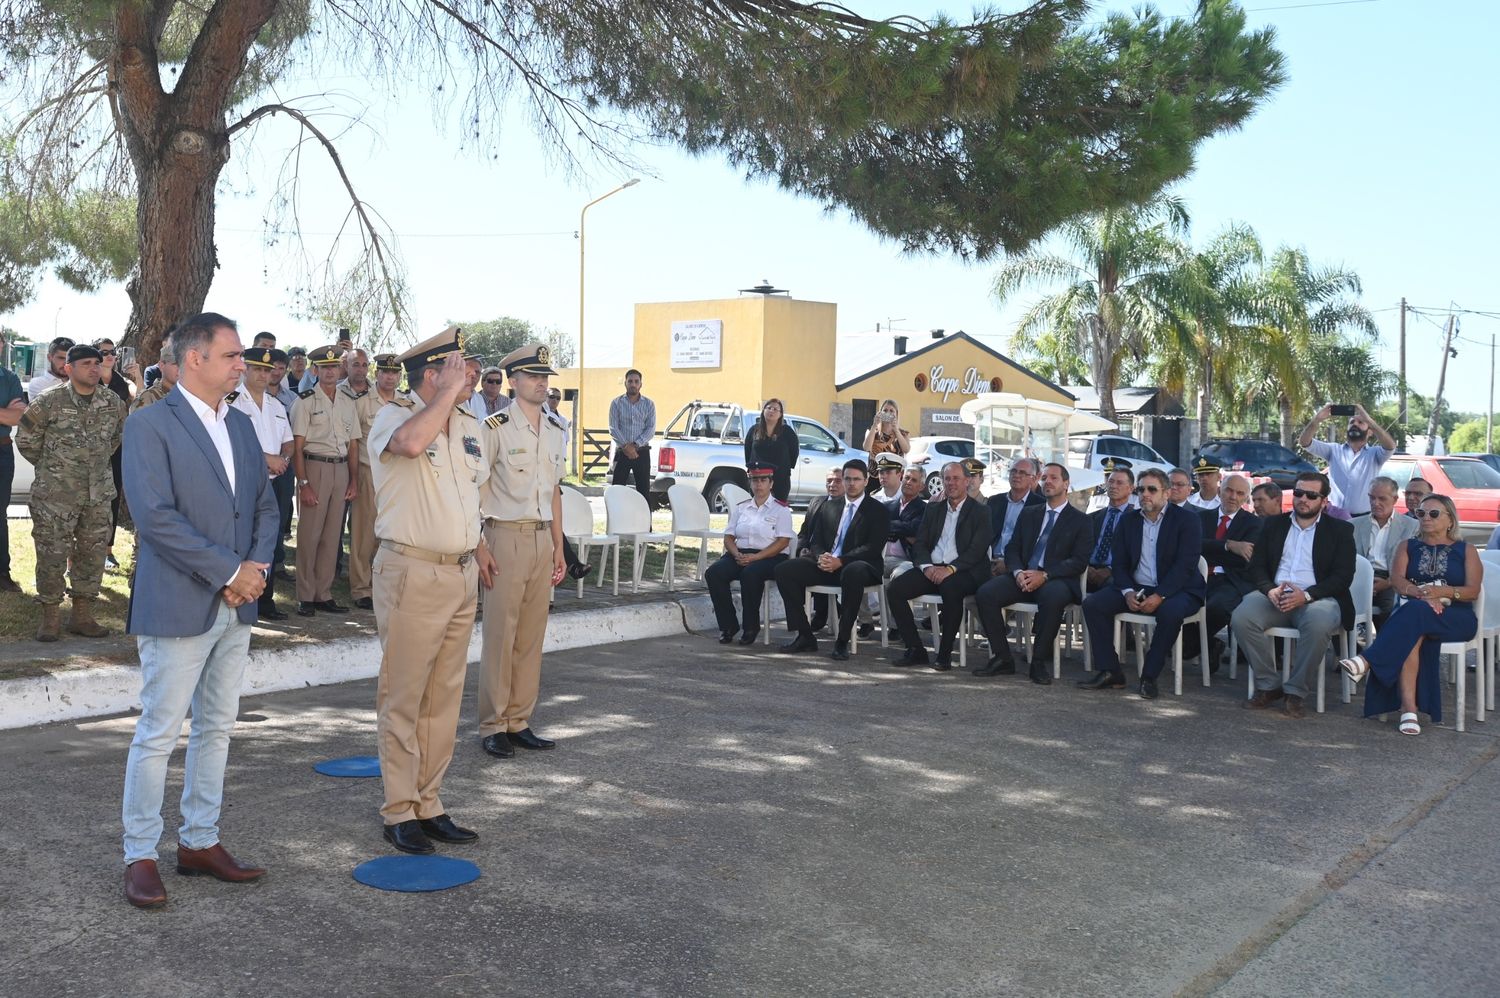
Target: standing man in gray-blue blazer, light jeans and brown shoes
x,y
206,528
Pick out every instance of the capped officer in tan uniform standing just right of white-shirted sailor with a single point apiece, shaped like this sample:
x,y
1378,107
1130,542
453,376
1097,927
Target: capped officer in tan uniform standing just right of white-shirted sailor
x,y
325,431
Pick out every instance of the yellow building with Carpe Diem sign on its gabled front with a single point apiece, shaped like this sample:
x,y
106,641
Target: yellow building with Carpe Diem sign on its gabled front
x,y
763,346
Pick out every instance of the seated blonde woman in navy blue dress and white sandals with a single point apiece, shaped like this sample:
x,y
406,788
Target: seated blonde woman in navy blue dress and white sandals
x,y
1439,576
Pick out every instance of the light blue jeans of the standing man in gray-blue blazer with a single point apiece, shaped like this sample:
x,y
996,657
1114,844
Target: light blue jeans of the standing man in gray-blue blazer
x,y
206,673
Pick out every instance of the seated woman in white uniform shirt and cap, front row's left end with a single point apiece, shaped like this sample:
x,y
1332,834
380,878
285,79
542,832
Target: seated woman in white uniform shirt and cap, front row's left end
x,y
757,541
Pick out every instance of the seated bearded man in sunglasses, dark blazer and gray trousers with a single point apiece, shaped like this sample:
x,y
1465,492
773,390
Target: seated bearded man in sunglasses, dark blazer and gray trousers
x,y
1301,571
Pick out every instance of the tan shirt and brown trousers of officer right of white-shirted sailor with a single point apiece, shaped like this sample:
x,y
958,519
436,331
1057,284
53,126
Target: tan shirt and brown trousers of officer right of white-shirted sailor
x,y
328,427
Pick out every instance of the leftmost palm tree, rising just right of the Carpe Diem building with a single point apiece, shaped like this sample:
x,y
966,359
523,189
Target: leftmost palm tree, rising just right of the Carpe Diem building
x,y
1112,307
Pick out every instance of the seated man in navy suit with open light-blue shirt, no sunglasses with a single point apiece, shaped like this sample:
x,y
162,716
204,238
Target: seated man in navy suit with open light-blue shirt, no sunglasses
x,y
1154,571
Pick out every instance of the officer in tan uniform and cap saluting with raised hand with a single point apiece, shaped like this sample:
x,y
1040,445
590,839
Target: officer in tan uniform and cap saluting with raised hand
x,y
428,466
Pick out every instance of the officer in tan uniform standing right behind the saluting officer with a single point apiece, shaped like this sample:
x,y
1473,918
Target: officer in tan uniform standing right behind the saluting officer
x,y
524,531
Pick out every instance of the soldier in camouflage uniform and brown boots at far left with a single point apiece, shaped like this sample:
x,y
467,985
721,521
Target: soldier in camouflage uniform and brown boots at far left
x,y
68,436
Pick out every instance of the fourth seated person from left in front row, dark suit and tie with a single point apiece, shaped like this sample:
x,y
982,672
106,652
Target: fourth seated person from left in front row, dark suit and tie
x,y
1046,559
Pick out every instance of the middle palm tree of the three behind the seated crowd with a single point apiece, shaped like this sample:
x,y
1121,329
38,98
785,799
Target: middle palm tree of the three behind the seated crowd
x,y
1213,296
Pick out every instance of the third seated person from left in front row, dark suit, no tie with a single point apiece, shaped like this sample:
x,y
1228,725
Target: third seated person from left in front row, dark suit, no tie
x,y
950,558
